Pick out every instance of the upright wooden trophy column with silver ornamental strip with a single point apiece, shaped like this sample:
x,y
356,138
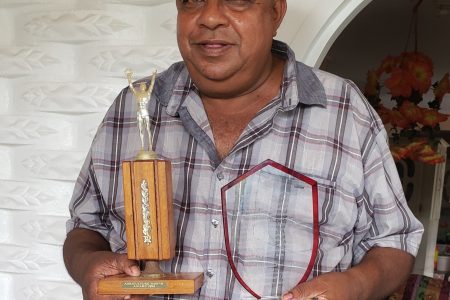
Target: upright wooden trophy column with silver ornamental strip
x,y
151,235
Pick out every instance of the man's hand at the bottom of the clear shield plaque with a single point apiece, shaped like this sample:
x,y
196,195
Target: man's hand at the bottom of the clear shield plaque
x,y
329,286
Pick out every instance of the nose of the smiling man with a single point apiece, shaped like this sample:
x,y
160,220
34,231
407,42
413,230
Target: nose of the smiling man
x,y
213,15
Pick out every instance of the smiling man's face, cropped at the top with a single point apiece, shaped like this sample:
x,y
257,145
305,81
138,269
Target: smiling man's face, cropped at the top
x,y
227,40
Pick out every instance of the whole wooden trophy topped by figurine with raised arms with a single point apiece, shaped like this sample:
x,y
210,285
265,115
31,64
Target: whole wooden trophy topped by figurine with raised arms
x,y
147,187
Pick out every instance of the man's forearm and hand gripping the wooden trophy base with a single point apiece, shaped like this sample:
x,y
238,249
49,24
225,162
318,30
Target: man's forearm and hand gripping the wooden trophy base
x,y
88,259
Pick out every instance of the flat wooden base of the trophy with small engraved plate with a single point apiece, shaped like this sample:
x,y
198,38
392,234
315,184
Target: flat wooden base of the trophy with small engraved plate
x,y
151,284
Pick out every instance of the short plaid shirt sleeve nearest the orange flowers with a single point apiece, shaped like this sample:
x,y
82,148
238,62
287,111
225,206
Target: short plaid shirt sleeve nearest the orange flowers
x,y
385,219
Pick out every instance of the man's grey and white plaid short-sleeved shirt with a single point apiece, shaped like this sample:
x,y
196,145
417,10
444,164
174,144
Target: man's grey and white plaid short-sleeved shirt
x,y
319,125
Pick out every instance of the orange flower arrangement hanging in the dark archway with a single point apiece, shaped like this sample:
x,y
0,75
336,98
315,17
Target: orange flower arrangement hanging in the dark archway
x,y
414,119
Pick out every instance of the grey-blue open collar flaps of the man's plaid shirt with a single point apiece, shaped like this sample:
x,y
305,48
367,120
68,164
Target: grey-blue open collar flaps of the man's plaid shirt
x,y
303,85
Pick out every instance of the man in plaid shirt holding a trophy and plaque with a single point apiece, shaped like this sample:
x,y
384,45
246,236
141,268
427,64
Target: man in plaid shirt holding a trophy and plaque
x,y
238,99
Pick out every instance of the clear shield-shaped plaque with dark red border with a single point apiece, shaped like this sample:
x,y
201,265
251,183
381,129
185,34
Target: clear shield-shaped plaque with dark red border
x,y
270,216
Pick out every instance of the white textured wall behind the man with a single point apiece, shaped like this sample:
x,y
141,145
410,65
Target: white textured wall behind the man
x,y
61,65
